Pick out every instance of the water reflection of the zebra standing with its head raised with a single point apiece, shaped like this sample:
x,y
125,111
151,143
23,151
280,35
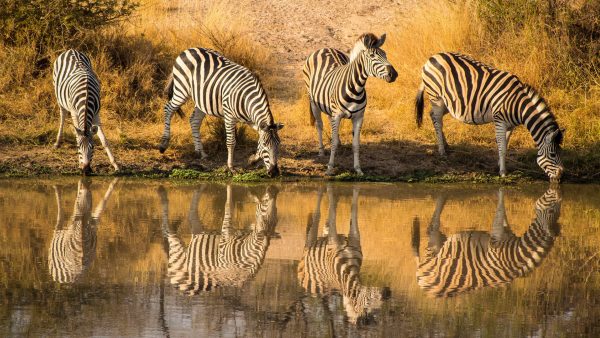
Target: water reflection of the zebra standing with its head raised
x,y
331,263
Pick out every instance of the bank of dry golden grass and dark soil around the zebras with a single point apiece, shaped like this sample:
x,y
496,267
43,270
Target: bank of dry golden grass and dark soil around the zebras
x,y
554,49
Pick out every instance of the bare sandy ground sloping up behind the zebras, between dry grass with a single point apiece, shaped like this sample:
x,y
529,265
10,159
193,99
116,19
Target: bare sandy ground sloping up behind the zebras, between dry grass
x,y
291,30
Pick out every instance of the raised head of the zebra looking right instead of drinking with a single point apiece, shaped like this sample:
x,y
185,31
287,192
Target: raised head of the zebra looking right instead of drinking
x,y
374,59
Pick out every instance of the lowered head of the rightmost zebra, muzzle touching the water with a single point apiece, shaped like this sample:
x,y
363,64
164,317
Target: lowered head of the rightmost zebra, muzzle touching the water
x,y
548,157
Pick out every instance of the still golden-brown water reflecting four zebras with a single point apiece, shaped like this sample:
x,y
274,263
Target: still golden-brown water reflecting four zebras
x,y
159,258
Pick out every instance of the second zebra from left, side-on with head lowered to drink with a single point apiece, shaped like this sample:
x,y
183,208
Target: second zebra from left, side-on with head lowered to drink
x,y
222,88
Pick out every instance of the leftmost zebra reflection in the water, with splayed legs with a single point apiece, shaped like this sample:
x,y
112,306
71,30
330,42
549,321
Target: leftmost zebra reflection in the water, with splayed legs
x,y
73,246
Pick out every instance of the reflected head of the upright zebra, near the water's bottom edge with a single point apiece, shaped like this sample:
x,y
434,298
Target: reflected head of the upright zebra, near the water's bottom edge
x,y
362,306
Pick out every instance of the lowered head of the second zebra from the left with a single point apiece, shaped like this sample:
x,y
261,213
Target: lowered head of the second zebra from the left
x,y
268,147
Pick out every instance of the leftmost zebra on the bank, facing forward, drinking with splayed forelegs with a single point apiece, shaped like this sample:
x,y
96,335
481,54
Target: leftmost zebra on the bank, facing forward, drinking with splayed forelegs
x,y
77,91
